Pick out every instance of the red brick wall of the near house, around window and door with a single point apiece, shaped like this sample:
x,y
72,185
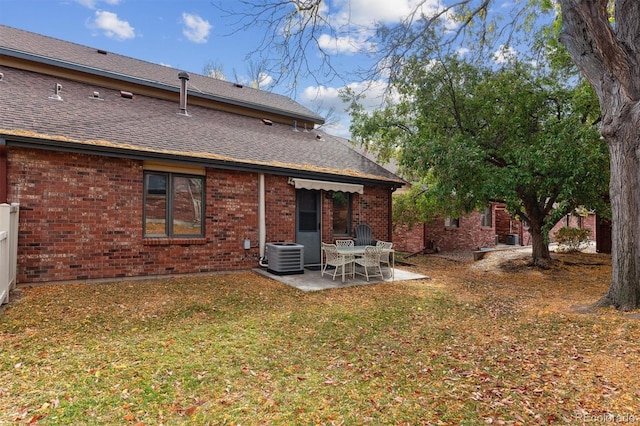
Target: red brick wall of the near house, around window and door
x,y
81,218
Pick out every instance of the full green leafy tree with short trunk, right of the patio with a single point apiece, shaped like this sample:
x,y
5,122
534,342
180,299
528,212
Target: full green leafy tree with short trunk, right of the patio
x,y
481,134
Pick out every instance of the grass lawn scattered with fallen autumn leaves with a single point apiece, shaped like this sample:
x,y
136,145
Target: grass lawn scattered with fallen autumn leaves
x,y
242,349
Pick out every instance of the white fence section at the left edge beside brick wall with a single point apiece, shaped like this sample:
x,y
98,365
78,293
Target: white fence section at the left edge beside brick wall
x,y
8,249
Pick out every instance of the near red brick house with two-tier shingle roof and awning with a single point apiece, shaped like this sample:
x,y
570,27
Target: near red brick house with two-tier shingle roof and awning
x,y
125,168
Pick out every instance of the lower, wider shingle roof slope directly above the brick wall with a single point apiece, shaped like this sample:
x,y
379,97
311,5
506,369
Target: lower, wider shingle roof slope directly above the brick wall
x,y
153,127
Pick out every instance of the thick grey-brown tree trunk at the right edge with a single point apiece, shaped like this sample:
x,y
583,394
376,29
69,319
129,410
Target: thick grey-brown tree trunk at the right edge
x,y
610,59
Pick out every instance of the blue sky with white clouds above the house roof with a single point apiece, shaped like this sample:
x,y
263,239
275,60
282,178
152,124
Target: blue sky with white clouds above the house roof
x,y
189,34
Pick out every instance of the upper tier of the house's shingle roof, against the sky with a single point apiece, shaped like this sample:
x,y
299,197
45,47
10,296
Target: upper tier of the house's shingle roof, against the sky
x,y
74,56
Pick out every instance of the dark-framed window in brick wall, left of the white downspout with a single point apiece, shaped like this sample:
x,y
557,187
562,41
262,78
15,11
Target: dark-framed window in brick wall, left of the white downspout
x,y
173,205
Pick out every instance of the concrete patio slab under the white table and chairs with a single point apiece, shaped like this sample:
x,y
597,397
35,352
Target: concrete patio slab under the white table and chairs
x,y
312,281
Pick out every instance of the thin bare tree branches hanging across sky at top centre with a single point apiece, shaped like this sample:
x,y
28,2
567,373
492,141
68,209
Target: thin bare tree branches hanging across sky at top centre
x,y
302,37
